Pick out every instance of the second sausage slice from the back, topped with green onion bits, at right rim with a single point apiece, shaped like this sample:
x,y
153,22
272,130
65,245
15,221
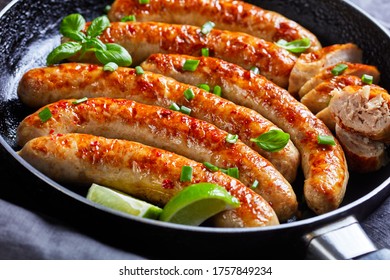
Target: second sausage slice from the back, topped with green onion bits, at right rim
x,y
353,69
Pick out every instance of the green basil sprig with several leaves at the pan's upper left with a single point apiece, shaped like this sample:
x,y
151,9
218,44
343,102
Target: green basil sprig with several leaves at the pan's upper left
x,y
72,26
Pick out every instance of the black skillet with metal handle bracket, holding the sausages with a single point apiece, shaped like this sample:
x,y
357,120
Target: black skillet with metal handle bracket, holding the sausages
x,y
29,30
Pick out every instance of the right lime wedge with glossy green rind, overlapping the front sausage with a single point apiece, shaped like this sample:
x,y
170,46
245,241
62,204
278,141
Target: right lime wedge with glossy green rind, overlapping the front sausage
x,y
196,203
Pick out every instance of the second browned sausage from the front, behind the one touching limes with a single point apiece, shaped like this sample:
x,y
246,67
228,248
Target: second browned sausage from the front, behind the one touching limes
x,y
168,130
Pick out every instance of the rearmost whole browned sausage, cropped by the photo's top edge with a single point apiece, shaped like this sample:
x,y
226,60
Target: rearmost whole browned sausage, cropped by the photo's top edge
x,y
227,15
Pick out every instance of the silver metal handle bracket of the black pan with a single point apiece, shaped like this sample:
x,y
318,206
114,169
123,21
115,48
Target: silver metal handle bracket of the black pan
x,y
343,239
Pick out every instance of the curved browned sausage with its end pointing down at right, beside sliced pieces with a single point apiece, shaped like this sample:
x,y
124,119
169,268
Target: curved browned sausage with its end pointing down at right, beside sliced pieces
x,y
325,167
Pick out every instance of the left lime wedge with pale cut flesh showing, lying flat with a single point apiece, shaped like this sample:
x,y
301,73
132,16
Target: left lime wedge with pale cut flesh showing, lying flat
x,y
122,202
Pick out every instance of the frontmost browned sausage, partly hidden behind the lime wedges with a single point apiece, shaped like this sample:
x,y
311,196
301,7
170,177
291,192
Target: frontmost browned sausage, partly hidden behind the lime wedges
x,y
142,171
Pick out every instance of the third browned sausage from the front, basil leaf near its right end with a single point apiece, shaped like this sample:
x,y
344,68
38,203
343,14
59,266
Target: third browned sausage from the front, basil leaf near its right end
x,y
41,86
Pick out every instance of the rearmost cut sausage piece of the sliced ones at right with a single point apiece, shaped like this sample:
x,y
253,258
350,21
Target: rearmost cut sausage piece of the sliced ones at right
x,y
310,64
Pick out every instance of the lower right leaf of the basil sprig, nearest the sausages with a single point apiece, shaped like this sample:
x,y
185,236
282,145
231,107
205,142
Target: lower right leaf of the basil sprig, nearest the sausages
x,y
114,53
